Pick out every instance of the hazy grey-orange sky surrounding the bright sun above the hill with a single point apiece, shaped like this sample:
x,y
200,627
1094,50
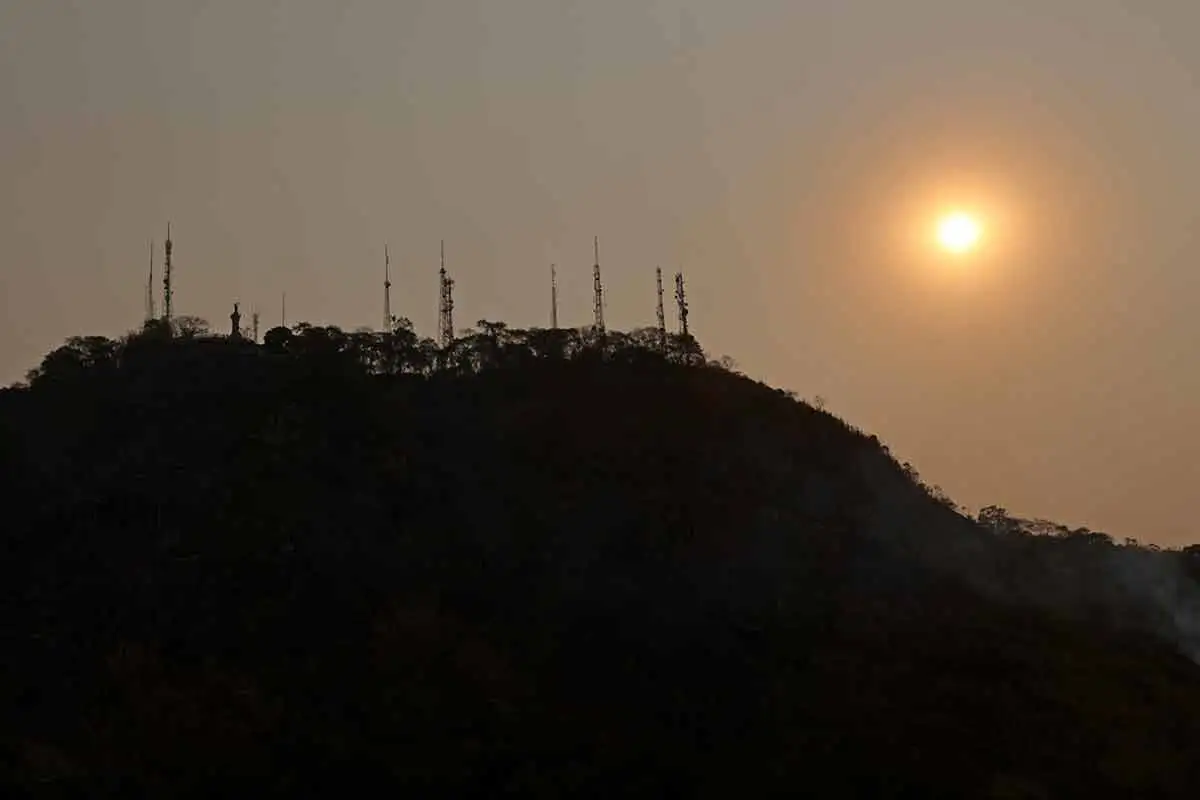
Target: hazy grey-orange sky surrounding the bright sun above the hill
x,y
790,155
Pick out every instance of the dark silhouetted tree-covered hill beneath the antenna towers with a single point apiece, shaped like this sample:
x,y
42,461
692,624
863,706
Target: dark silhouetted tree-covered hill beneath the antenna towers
x,y
543,564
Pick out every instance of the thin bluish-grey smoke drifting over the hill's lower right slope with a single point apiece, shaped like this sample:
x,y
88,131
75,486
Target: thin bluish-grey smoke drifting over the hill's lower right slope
x,y
1081,575
